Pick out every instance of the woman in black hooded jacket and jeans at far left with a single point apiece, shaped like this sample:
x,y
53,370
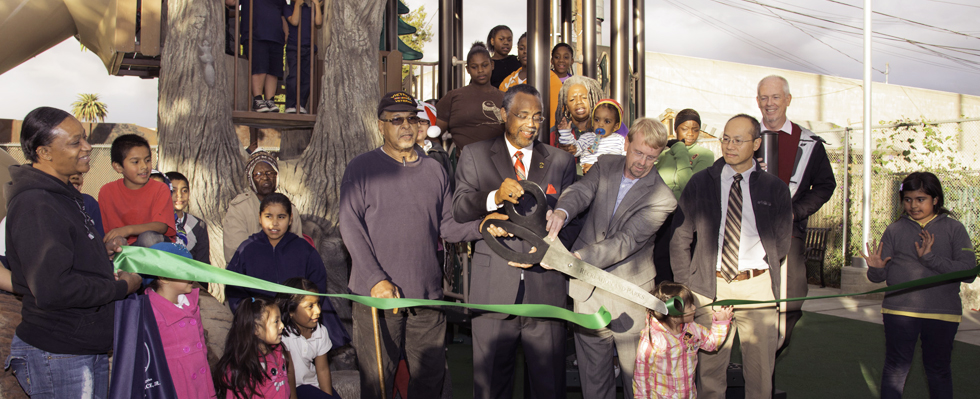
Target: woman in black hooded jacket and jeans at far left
x,y
60,265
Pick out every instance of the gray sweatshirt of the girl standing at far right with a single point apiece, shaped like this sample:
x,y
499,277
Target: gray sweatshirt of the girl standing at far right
x,y
952,251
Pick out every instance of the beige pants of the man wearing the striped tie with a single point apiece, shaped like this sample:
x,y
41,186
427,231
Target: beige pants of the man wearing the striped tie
x,y
756,326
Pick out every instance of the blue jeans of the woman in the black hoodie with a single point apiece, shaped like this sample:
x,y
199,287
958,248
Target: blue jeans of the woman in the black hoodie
x,y
51,375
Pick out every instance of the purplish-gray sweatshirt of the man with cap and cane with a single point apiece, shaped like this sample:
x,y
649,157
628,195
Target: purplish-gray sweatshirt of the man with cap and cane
x,y
391,217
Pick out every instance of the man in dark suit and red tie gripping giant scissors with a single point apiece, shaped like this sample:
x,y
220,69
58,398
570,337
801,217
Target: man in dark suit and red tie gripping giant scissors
x,y
486,176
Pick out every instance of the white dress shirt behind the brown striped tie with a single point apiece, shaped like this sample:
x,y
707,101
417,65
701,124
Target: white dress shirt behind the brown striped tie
x,y
751,254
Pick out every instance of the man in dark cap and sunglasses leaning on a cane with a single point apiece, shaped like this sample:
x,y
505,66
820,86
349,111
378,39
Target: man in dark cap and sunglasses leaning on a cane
x,y
395,203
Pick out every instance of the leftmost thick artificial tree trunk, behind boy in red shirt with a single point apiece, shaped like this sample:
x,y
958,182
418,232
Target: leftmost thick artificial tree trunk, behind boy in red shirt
x,y
196,134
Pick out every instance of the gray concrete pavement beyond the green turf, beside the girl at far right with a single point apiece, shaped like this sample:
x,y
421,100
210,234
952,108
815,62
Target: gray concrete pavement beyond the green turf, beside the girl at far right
x,y
870,310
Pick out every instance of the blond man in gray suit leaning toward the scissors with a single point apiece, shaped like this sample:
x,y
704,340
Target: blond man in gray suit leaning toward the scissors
x,y
628,204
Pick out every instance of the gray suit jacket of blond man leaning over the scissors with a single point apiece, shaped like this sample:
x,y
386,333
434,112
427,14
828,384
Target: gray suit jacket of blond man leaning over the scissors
x,y
620,243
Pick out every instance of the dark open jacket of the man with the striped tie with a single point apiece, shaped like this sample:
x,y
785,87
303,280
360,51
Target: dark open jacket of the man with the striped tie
x,y
699,212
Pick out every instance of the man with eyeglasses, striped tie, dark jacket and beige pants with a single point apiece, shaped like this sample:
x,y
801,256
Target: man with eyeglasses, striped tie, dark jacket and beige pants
x,y
743,220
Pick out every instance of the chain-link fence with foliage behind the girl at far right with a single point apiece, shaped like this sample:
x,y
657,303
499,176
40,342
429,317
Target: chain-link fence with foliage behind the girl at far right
x,y
843,213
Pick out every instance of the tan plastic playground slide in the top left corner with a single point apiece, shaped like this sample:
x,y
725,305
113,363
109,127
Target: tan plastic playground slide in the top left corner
x,y
29,27
